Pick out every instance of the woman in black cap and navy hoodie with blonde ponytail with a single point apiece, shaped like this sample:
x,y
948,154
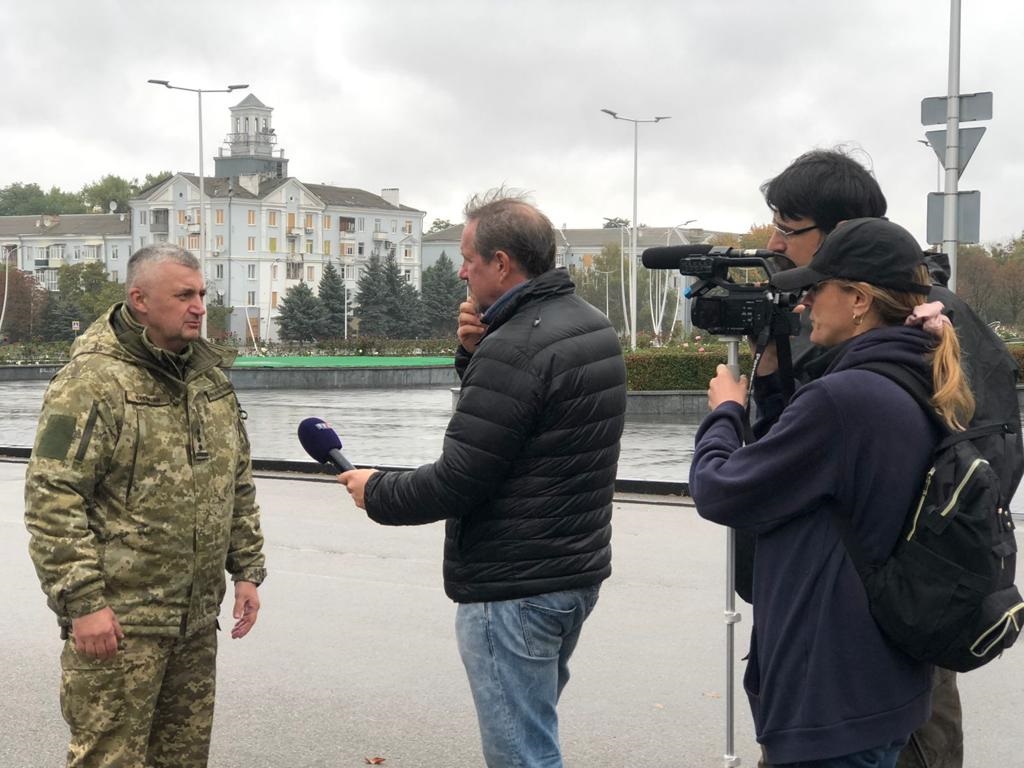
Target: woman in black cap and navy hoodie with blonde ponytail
x,y
826,688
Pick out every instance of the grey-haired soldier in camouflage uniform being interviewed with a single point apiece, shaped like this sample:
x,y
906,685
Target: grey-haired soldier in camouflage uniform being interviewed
x,y
139,497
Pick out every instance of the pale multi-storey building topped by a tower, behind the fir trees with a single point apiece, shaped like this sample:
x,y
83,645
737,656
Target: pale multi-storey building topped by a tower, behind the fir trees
x,y
267,232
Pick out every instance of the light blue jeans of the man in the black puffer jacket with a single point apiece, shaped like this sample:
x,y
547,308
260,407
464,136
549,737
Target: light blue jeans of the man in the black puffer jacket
x,y
517,655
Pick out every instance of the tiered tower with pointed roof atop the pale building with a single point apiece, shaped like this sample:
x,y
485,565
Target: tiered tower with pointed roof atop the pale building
x,y
250,144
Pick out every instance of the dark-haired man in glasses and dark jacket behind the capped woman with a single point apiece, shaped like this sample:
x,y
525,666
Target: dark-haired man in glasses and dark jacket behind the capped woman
x,y
808,200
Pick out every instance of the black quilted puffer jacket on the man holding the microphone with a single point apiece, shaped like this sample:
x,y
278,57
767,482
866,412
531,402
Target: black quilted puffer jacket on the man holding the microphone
x,y
528,472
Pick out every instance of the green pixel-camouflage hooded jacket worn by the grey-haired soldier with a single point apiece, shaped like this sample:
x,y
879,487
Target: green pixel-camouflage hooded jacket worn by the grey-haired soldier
x,y
140,491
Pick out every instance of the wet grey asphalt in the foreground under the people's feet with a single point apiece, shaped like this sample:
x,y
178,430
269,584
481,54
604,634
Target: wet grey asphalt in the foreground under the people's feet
x,y
355,655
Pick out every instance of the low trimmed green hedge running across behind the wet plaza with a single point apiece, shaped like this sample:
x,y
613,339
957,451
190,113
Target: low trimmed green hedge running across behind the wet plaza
x,y
690,367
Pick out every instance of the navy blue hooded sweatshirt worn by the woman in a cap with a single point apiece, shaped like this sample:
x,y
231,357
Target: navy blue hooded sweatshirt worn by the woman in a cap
x,y
822,679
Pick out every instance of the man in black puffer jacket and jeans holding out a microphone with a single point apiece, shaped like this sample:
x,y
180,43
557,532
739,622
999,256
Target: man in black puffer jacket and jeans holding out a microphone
x,y
526,479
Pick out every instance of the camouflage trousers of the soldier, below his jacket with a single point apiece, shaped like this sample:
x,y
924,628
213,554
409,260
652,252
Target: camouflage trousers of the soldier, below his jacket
x,y
150,707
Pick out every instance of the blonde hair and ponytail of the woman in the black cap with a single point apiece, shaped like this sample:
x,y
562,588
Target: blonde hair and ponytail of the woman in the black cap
x,y
953,398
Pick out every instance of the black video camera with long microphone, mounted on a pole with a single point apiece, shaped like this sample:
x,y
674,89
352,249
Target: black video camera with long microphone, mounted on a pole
x,y
729,301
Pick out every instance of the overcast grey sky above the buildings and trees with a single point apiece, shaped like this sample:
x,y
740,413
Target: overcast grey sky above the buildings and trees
x,y
446,98
